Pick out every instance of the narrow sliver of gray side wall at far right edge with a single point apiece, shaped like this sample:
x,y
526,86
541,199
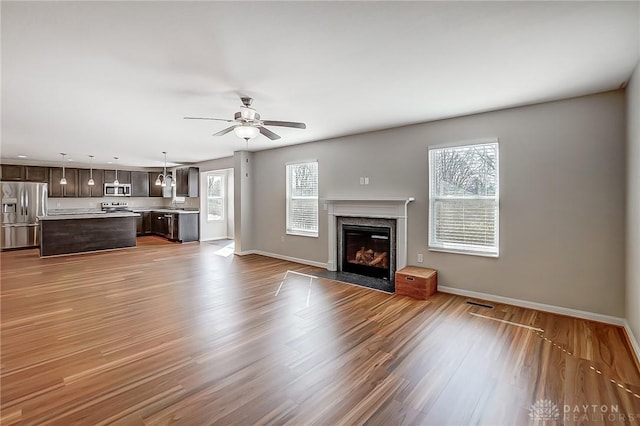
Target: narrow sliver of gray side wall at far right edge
x,y
633,204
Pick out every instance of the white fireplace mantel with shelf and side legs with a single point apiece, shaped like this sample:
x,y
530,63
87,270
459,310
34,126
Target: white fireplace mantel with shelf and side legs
x,y
384,207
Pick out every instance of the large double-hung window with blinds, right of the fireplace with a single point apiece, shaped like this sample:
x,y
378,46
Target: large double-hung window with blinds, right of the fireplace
x,y
463,199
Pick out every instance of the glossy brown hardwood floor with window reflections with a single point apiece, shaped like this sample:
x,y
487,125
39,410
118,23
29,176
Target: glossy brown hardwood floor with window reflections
x,y
188,334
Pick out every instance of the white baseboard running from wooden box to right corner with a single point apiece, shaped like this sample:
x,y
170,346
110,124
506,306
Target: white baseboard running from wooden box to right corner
x,y
535,305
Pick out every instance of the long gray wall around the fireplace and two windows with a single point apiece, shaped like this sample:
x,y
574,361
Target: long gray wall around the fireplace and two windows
x,y
562,214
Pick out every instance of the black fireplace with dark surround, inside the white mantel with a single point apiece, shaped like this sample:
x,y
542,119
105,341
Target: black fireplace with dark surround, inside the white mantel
x,y
367,246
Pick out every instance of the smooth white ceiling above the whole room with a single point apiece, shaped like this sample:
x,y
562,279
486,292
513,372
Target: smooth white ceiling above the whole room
x,y
117,78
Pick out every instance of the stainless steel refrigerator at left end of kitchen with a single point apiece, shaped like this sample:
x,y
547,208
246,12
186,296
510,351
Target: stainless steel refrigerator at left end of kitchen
x,y
22,202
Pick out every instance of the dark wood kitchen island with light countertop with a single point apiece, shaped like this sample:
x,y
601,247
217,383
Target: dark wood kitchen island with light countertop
x,y
77,233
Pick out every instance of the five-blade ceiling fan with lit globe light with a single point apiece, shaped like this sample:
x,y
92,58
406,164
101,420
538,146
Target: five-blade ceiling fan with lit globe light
x,y
247,123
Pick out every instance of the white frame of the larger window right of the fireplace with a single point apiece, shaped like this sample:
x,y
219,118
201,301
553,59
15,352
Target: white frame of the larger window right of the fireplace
x,y
466,249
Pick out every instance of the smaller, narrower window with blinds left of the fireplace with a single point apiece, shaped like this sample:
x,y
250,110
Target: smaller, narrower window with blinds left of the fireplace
x,y
302,199
